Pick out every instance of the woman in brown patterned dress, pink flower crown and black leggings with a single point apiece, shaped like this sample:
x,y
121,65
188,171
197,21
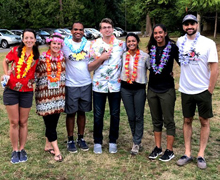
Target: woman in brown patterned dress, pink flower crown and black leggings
x,y
50,91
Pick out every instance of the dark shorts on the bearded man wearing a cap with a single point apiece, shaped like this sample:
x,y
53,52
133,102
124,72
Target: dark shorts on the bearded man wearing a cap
x,y
204,102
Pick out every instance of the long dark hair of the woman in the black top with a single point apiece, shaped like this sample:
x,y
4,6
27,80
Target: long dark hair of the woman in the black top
x,y
152,41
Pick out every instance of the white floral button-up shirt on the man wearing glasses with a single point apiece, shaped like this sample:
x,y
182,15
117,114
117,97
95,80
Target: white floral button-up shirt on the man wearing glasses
x,y
106,77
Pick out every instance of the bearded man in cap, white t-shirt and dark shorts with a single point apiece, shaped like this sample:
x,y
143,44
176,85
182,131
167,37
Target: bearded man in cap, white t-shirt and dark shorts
x,y
199,71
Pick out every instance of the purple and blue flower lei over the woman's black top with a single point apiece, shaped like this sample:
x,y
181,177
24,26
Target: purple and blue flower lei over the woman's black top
x,y
164,58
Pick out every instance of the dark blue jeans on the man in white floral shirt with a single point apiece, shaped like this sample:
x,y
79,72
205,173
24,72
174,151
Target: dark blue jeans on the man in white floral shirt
x,y
99,101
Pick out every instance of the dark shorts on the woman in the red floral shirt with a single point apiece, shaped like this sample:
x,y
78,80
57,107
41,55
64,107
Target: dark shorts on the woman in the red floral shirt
x,y
23,99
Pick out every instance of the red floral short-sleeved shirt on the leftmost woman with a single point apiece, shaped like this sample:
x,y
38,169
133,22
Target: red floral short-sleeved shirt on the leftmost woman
x,y
23,84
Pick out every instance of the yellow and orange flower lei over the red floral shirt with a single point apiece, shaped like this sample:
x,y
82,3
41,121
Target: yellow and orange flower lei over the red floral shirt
x,y
21,62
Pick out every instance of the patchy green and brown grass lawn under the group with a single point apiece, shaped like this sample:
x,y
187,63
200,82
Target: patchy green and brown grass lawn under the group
x,y
87,165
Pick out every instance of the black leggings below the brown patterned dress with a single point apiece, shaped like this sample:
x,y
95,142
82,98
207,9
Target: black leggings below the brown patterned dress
x,y
51,125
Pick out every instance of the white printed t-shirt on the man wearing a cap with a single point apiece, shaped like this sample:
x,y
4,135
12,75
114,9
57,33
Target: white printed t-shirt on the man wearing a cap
x,y
194,77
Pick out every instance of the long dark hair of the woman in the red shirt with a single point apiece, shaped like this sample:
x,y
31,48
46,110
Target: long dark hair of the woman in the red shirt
x,y
35,47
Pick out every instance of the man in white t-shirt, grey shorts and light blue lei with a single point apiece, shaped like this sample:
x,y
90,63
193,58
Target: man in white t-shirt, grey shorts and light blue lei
x,y
78,85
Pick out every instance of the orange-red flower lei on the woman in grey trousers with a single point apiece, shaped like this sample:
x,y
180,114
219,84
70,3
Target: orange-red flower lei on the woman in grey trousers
x,y
127,71
